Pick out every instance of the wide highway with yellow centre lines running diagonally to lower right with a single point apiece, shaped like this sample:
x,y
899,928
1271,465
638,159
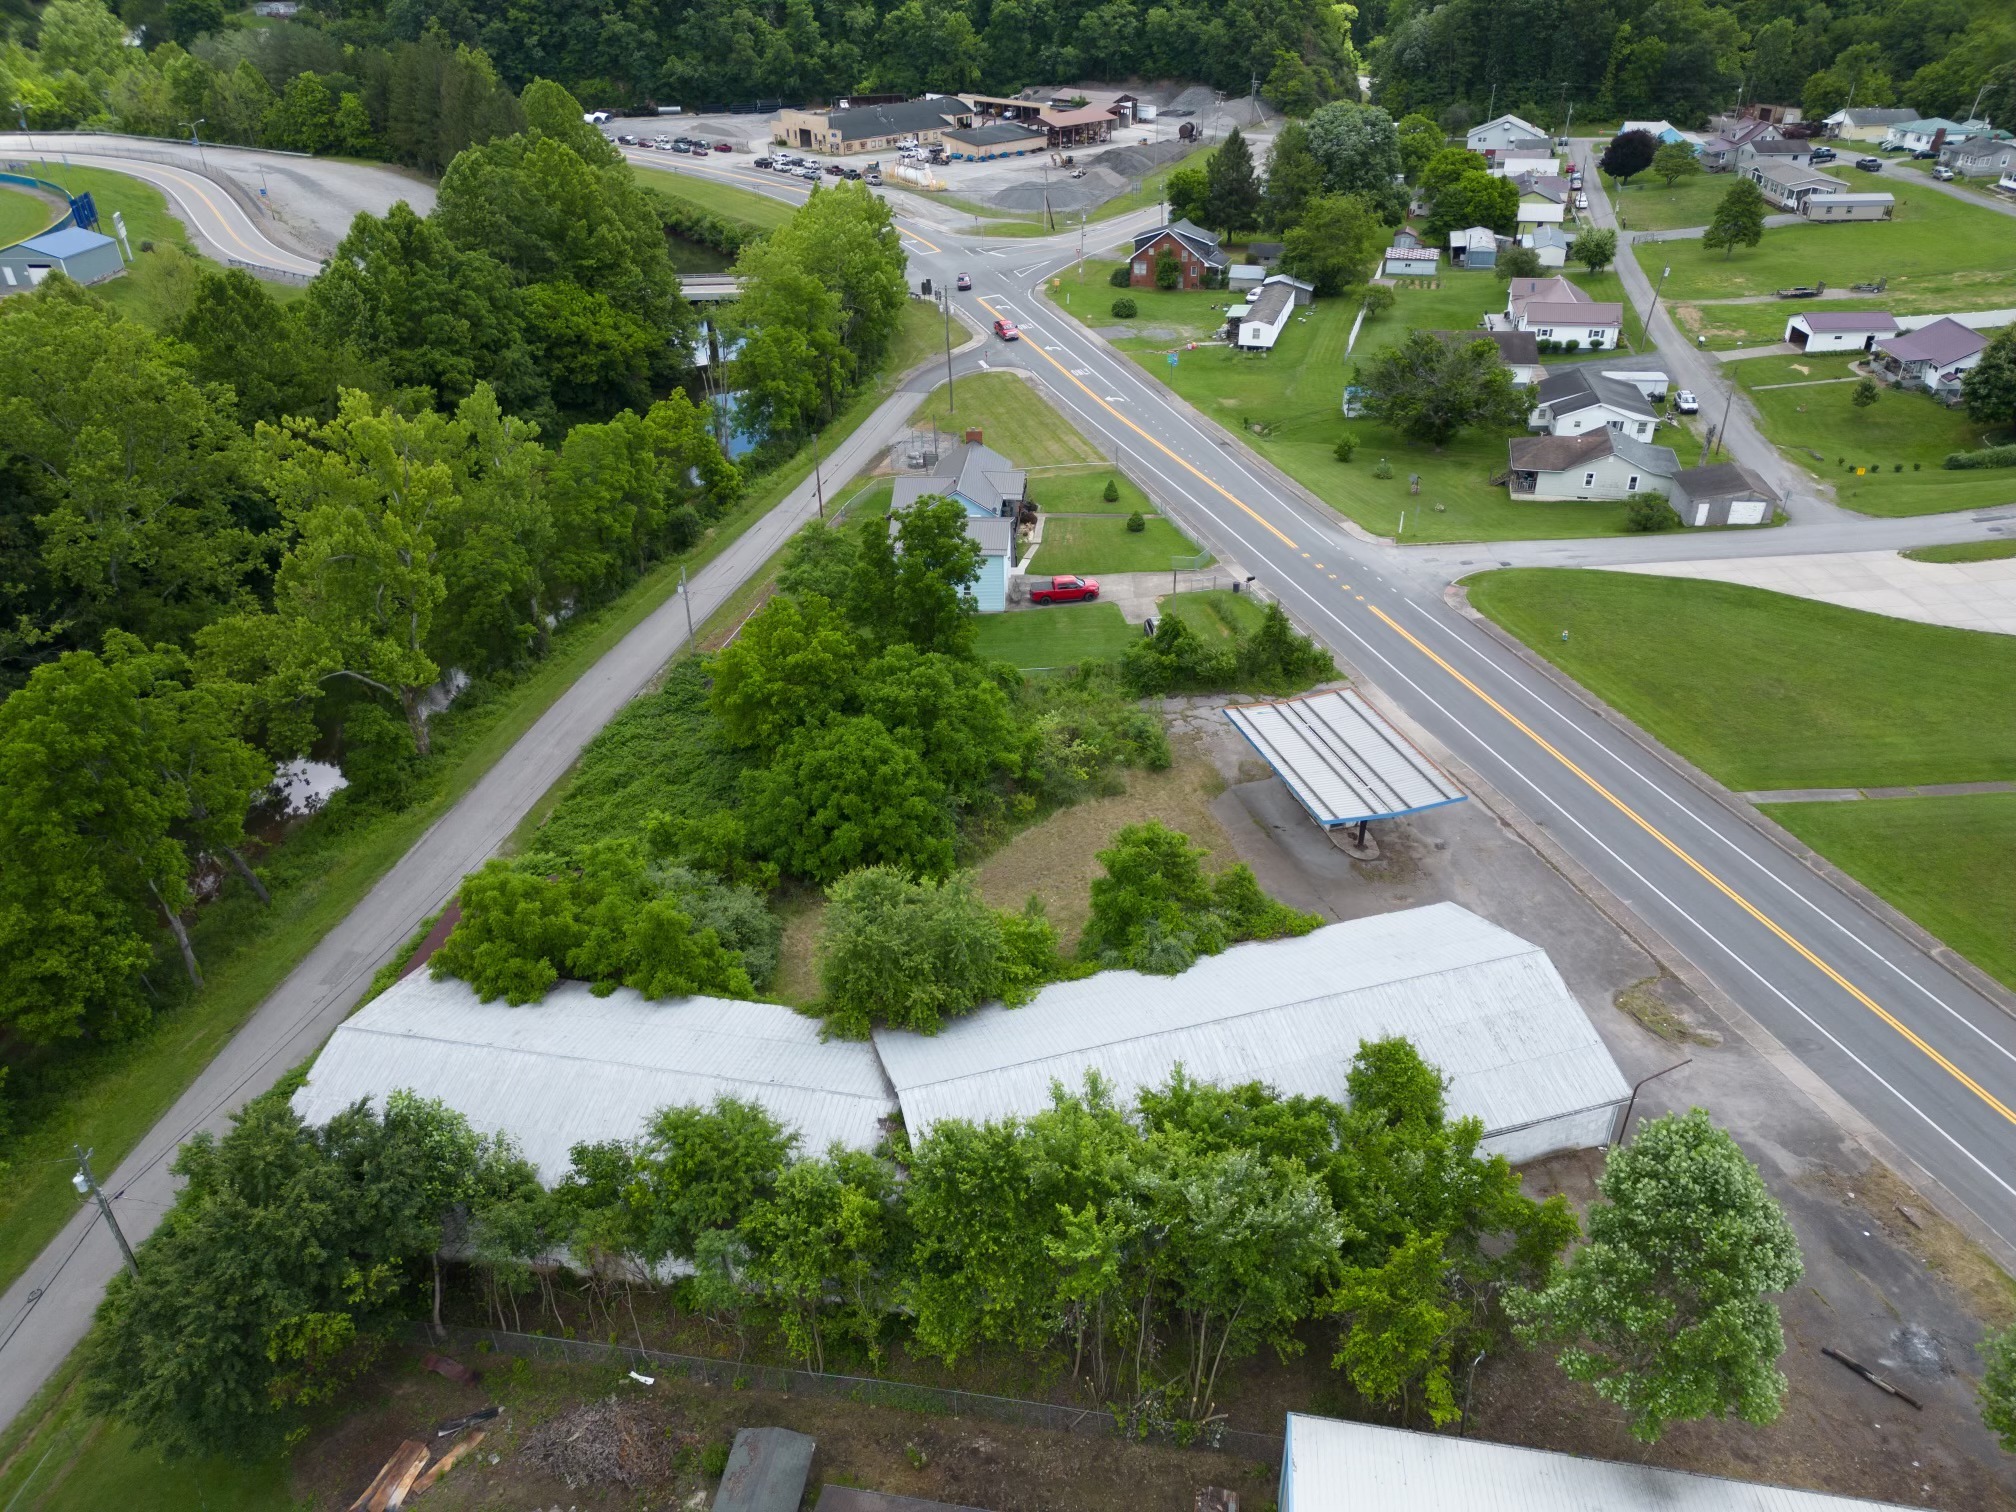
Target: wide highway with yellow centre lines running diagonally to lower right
x,y
1914,1049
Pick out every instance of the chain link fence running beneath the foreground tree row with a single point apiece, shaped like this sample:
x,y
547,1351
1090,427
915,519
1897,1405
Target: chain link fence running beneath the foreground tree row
x,y
904,1396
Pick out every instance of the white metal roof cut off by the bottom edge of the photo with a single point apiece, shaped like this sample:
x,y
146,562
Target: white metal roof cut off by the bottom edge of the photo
x,y
1338,1467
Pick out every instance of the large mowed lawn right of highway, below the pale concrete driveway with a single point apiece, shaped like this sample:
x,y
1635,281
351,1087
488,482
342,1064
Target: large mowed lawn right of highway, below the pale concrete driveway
x,y
1773,692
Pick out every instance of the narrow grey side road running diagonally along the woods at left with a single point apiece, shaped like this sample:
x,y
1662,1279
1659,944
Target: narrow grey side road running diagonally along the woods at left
x,y
49,1309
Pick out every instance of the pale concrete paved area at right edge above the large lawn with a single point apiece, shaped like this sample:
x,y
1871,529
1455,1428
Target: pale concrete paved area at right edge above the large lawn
x,y
1965,596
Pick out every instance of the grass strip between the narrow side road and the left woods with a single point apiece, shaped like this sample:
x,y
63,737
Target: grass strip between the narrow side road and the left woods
x,y
116,1098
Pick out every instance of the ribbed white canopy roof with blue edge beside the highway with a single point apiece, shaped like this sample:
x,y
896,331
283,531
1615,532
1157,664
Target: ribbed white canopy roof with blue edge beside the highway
x,y
1342,759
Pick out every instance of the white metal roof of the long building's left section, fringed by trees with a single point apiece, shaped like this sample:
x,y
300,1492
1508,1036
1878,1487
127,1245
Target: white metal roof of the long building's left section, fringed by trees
x,y
580,1069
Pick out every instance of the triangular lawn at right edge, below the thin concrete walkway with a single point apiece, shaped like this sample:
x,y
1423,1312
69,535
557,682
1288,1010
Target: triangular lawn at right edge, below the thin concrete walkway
x,y
1940,862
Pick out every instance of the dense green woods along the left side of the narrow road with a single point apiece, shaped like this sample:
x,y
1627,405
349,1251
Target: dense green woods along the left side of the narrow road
x,y
271,531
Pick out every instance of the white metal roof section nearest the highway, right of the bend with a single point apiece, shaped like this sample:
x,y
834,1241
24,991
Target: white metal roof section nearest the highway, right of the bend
x,y
1479,1003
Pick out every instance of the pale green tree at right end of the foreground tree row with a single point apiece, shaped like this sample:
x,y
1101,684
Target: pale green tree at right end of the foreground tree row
x,y
1668,1311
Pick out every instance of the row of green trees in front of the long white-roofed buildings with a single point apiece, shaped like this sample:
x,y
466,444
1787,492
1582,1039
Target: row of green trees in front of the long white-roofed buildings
x,y
1152,1249
